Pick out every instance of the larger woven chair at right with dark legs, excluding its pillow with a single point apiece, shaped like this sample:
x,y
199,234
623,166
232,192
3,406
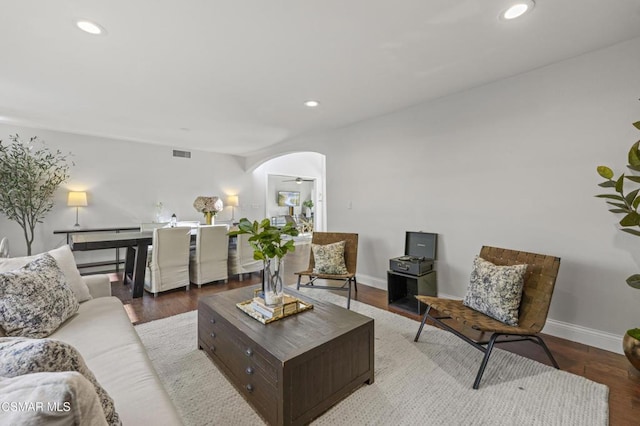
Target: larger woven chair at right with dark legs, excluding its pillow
x,y
539,282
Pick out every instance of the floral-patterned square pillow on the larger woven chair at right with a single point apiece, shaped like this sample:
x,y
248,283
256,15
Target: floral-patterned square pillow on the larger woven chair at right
x,y
495,290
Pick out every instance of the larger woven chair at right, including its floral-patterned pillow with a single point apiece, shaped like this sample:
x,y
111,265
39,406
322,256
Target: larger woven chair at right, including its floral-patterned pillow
x,y
497,276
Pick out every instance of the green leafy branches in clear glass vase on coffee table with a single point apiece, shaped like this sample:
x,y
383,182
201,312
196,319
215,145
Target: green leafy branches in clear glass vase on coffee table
x,y
269,246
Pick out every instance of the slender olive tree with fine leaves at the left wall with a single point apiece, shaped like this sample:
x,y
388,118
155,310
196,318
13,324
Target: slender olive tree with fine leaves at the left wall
x,y
29,178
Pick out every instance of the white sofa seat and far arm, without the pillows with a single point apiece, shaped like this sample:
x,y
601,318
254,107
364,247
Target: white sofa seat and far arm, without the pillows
x,y
103,334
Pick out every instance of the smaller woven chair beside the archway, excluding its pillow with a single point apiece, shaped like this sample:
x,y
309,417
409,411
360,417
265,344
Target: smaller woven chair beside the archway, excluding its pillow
x,y
350,260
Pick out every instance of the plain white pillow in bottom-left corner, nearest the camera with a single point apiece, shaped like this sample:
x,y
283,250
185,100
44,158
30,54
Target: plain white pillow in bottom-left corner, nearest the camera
x,y
53,399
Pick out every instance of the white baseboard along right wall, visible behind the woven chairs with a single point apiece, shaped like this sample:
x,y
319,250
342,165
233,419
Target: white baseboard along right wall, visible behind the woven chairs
x,y
575,333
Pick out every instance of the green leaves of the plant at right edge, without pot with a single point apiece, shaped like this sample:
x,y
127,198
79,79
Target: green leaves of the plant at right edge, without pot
x,y
622,203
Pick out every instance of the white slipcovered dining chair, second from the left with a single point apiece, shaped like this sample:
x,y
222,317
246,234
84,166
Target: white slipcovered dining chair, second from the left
x,y
208,262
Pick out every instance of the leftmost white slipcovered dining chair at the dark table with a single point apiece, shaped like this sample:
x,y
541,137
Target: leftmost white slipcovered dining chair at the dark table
x,y
168,266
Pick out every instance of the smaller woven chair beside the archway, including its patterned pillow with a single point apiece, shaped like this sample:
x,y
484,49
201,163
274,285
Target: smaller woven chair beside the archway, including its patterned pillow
x,y
334,256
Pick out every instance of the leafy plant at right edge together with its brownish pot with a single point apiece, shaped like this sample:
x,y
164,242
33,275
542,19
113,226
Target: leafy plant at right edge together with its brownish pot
x,y
626,202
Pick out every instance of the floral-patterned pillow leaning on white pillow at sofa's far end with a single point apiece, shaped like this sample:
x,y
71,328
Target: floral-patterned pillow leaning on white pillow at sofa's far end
x,y
35,299
